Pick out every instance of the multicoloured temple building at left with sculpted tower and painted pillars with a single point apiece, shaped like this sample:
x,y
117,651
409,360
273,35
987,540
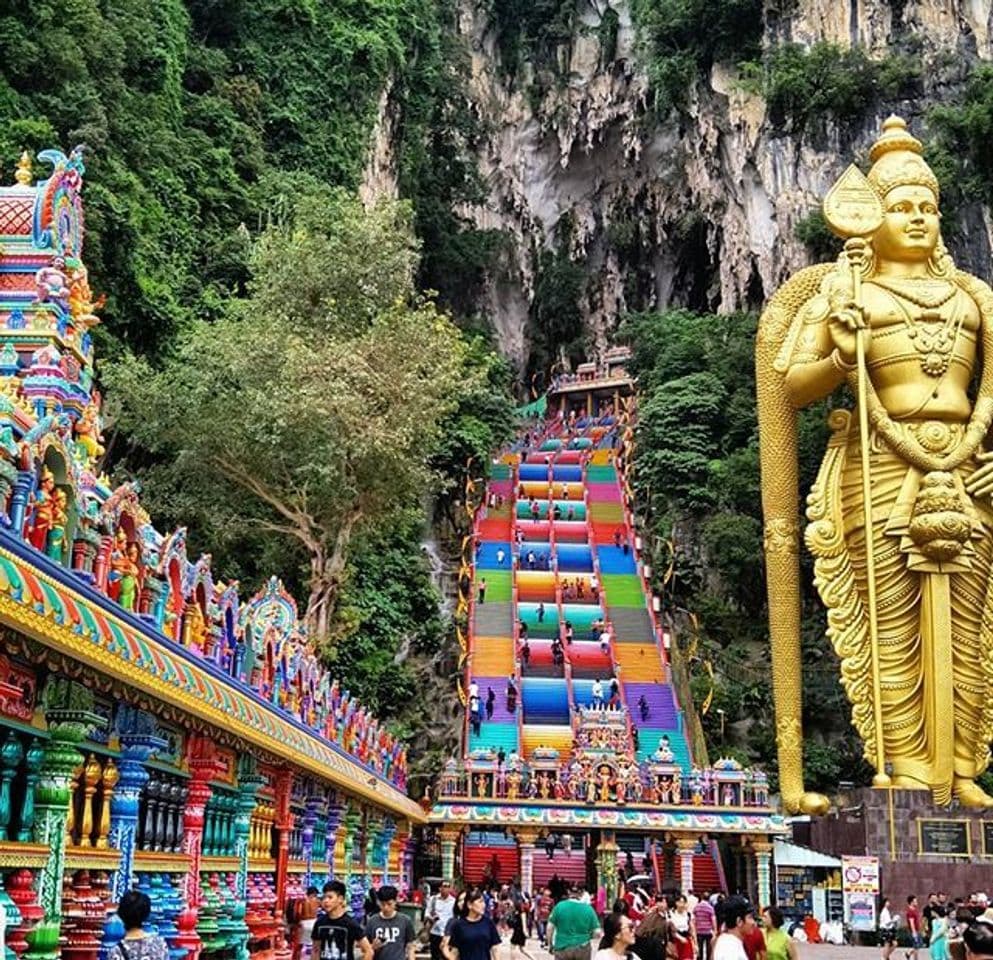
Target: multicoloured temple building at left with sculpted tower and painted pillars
x,y
158,730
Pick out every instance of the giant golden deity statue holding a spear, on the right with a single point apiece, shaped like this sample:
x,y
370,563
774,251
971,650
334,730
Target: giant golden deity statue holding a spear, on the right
x,y
912,618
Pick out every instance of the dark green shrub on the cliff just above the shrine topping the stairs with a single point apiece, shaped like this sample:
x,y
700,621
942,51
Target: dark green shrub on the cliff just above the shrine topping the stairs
x,y
555,324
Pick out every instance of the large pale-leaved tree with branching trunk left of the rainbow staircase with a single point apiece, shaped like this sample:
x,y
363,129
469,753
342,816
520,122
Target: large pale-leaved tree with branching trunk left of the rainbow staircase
x,y
311,409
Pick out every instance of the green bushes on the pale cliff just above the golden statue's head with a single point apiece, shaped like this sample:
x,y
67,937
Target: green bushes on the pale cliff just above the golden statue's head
x,y
803,85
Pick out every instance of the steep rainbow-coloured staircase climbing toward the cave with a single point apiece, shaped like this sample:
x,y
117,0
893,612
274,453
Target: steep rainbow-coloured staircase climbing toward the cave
x,y
560,529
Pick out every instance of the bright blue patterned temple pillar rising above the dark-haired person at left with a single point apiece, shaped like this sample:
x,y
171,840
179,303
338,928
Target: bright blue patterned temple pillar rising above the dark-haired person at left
x,y
138,736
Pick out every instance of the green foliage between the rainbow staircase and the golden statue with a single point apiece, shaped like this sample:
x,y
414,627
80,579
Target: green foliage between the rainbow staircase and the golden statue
x,y
696,477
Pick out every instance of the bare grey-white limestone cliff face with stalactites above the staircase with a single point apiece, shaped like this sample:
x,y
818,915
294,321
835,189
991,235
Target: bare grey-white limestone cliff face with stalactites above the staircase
x,y
697,208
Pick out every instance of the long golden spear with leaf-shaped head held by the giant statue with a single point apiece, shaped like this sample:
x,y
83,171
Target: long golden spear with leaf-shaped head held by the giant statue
x,y
854,212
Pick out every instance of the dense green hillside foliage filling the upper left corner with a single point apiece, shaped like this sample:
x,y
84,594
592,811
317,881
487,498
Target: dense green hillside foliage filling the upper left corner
x,y
192,112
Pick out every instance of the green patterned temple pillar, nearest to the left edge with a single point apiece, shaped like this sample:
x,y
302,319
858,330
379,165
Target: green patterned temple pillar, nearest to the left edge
x,y
68,708
